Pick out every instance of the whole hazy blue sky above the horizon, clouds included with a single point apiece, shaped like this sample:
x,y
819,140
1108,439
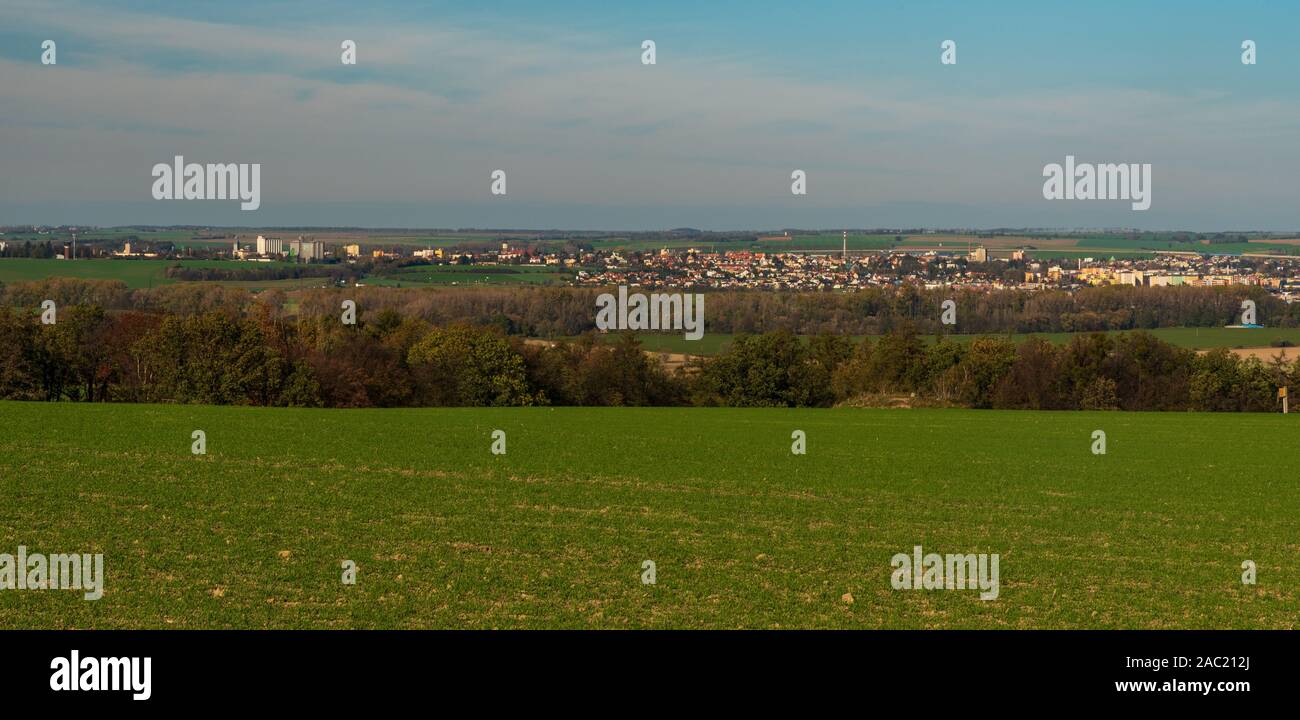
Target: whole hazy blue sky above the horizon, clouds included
x,y
743,93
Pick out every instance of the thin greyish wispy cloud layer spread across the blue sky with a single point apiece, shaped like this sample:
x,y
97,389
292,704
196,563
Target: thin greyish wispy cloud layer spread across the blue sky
x,y
579,123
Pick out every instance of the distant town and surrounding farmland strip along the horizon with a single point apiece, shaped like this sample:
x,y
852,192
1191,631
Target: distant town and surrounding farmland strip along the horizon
x,y
690,259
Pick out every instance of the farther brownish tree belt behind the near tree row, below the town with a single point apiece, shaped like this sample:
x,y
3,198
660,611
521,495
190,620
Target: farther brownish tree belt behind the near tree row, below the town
x,y
549,313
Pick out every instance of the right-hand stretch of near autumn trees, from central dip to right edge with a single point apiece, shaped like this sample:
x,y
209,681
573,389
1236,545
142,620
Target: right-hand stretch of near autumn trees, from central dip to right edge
x,y
1128,371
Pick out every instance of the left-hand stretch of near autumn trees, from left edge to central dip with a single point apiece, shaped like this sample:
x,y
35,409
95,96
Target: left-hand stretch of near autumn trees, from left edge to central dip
x,y
266,359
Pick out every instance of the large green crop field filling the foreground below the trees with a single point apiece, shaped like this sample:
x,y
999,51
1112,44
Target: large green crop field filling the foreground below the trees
x,y
743,534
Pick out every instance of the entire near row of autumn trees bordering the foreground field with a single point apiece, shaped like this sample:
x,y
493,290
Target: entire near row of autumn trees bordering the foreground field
x,y
265,358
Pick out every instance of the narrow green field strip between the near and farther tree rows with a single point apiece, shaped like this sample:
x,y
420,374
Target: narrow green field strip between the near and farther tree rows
x,y
1195,339
